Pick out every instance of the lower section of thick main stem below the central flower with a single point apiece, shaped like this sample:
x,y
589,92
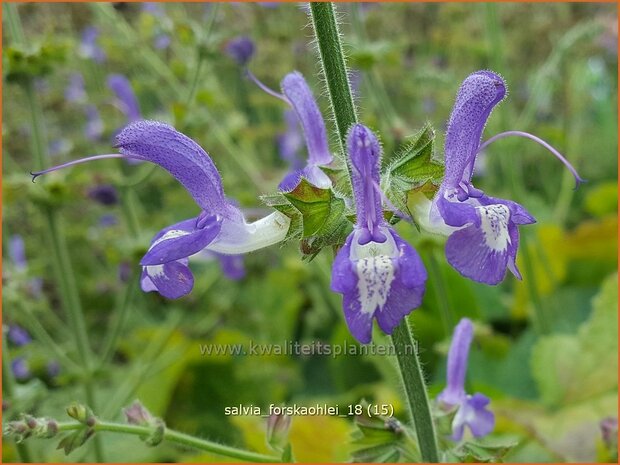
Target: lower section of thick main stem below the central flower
x,y
413,380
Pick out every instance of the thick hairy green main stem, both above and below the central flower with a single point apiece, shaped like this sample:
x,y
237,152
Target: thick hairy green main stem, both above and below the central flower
x,y
336,77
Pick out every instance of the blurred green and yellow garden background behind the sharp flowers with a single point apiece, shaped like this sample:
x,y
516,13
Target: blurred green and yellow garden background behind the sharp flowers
x,y
550,388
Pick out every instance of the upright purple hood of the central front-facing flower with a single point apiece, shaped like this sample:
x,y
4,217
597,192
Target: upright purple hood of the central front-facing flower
x,y
365,155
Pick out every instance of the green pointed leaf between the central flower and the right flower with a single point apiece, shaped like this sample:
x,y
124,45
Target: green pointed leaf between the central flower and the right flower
x,y
414,168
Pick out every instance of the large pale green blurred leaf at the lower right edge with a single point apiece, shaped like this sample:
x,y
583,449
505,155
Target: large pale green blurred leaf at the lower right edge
x,y
572,368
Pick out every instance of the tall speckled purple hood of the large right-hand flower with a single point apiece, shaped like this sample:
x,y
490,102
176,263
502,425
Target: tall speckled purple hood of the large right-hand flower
x,y
479,93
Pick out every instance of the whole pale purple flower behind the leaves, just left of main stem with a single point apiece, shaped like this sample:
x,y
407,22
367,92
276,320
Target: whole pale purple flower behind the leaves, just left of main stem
x,y
299,96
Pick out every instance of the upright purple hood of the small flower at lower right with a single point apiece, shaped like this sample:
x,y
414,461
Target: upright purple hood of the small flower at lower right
x,y
454,393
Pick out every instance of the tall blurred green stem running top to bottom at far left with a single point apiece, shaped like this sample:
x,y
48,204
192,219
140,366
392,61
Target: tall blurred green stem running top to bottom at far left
x,y
60,255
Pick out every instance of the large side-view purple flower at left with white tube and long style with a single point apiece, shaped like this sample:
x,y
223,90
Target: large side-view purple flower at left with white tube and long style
x,y
220,227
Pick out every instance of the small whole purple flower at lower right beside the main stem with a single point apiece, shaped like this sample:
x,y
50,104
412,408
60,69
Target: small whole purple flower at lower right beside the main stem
x,y
472,411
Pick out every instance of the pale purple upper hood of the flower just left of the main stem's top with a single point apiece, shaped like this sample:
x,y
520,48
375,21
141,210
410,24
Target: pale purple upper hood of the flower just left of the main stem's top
x,y
300,96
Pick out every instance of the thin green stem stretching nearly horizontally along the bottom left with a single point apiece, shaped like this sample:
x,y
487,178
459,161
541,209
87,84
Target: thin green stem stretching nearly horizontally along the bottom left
x,y
175,437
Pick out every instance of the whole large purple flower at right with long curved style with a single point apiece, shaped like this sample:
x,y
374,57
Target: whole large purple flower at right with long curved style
x,y
483,231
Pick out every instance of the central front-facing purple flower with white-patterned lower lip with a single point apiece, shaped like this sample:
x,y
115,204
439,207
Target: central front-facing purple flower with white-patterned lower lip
x,y
379,275
